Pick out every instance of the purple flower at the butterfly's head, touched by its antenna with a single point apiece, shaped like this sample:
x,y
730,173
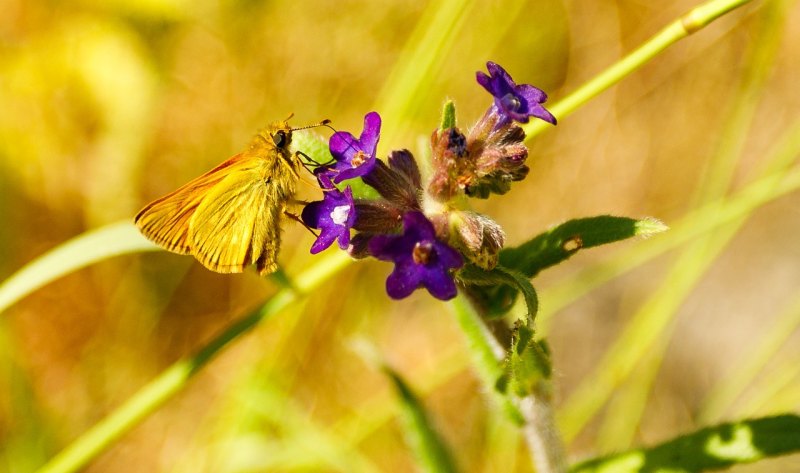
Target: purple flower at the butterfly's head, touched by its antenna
x,y
355,157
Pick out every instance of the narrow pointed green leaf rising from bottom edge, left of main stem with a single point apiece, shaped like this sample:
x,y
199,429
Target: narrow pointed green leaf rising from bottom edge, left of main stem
x,y
428,446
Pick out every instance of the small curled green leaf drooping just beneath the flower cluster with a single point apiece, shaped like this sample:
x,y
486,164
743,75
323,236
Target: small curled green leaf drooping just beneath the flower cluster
x,y
496,278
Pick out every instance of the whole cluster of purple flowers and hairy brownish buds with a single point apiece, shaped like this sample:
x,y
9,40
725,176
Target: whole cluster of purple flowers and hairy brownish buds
x,y
420,228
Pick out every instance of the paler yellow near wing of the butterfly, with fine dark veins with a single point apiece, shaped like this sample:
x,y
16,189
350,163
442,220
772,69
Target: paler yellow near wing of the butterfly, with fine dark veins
x,y
238,222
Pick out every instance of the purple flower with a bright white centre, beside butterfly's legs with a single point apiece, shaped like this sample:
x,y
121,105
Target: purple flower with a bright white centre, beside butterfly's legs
x,y
333,216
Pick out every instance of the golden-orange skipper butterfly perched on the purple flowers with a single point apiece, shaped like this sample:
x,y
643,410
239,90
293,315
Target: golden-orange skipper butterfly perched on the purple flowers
x,y
230,217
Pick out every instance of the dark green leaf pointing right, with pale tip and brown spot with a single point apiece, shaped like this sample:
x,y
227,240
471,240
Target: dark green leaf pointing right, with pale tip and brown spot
x,y
556,245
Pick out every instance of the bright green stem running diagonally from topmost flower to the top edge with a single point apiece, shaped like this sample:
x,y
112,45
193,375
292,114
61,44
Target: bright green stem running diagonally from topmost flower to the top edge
x,y
695,20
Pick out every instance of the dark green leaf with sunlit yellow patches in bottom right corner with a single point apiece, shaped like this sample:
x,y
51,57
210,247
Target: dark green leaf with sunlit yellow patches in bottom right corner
x,y
712,448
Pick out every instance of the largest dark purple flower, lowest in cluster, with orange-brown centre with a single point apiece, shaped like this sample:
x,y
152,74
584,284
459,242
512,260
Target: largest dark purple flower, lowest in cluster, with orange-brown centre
x,y
419,259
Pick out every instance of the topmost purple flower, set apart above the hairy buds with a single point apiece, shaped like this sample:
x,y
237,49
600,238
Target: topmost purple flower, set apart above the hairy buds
x,y
513,102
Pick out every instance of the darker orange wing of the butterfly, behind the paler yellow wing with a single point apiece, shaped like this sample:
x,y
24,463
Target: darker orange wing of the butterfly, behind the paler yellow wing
x,y
166,221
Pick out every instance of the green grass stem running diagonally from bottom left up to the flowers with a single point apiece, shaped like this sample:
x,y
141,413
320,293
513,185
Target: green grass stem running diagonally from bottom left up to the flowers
x,y
176,377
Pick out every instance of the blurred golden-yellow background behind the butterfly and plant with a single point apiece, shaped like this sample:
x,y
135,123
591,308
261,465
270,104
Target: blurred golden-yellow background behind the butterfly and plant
x,y
106,105
